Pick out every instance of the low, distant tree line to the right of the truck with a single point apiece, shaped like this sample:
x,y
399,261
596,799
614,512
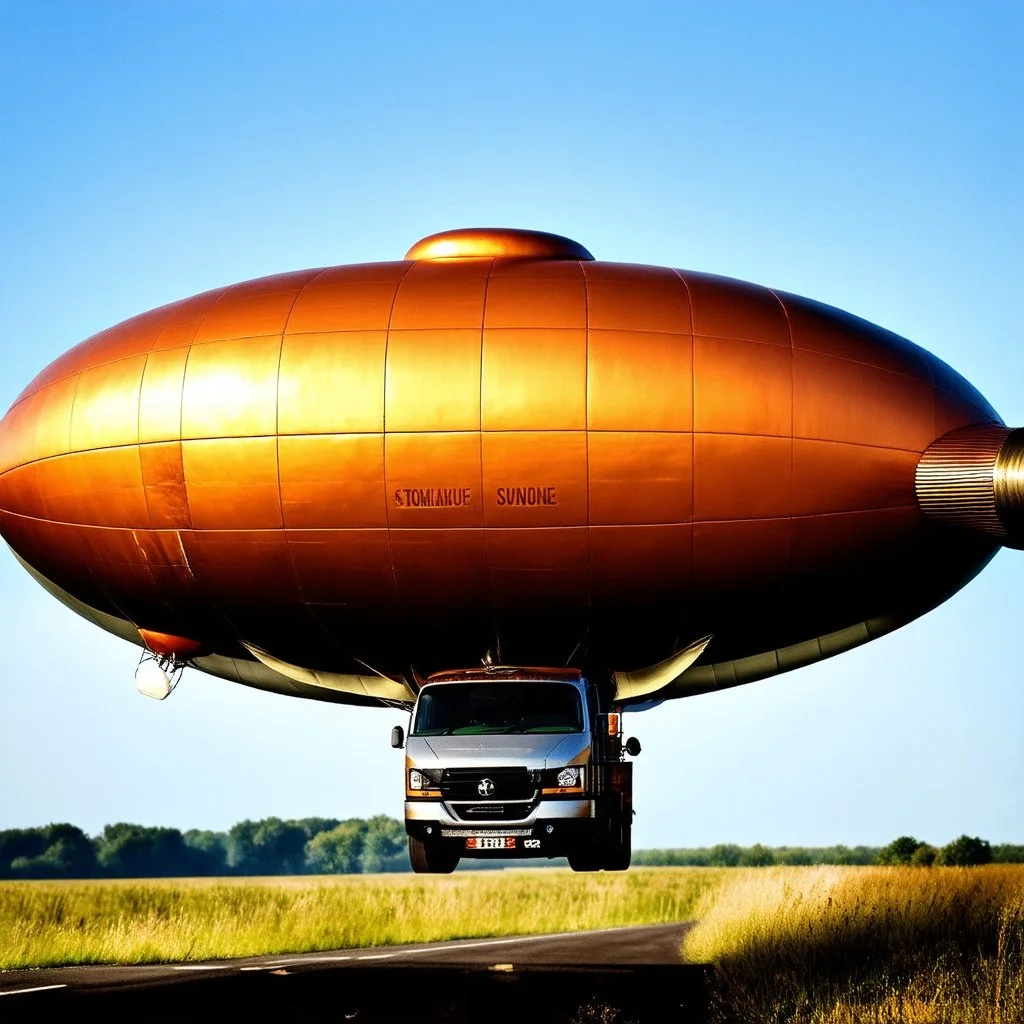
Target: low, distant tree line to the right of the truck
x,y
962,852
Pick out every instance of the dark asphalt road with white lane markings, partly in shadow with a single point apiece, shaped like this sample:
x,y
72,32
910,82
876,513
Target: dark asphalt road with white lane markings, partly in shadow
x,y
632,974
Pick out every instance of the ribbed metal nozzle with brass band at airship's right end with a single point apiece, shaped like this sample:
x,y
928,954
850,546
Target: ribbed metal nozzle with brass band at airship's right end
x,y
974,479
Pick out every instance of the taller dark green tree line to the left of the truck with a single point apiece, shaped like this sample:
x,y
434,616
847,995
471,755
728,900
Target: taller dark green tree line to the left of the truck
x,y
272,846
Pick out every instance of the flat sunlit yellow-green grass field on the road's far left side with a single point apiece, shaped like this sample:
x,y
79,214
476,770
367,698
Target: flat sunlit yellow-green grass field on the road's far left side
x,y
134,922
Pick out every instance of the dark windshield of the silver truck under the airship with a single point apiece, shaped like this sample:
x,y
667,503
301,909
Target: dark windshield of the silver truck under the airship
x,y
465,709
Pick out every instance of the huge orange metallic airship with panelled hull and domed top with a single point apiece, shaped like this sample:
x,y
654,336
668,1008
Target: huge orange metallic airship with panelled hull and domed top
x,y
334,482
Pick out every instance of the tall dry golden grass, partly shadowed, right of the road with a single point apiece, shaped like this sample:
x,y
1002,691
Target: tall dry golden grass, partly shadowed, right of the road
x,y
847,946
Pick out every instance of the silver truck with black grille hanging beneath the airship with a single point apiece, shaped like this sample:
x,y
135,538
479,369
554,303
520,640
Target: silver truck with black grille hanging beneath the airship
x,y
510,763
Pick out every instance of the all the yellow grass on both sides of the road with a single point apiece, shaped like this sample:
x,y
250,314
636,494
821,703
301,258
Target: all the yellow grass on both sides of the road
x,y
805,946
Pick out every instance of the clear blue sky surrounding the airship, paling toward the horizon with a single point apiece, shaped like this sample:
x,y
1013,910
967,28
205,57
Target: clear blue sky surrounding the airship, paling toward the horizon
x,y
866,155
